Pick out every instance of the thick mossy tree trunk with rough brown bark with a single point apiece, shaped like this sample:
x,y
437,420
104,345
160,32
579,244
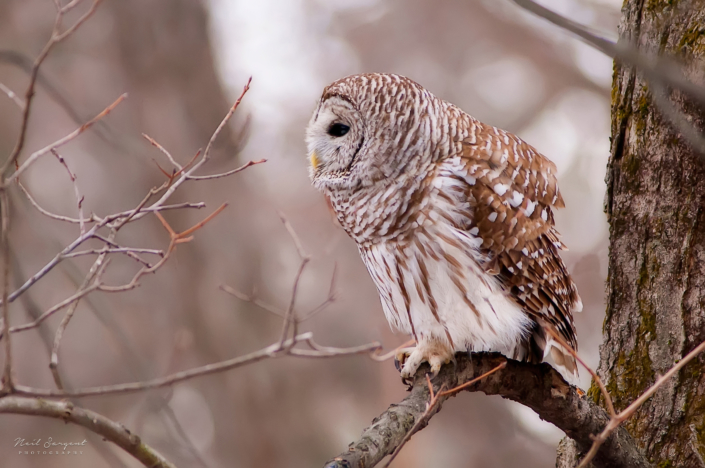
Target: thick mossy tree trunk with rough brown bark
x,y
655,206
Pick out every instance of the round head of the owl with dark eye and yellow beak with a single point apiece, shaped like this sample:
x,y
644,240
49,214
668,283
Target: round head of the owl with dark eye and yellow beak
x,y
371,129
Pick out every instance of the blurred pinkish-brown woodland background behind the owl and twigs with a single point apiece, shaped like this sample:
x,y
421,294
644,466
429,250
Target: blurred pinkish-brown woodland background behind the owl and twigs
x,y
183,62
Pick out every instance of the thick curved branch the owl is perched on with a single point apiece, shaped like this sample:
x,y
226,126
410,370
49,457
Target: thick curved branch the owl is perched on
x,y
540,387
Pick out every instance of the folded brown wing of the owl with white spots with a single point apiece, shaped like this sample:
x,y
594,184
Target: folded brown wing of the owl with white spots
x,y
512,189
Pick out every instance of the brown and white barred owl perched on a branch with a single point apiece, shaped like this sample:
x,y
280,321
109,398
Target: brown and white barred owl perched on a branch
x,y
452,218
